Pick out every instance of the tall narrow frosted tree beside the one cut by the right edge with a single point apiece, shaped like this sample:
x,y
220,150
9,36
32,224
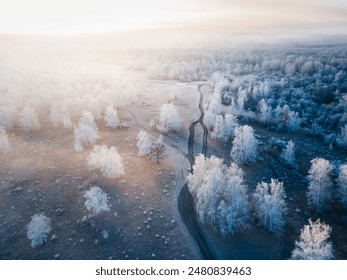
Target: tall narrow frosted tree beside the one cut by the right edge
x,y
320,186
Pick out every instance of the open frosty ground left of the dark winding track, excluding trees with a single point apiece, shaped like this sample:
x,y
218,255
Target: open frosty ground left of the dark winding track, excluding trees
x,y
44,174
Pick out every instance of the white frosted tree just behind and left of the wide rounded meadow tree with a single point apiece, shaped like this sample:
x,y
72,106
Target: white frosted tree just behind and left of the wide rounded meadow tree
x,y
86,132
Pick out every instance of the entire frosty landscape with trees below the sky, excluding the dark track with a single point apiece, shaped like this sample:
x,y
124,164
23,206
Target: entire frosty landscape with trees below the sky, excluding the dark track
x,y
56,115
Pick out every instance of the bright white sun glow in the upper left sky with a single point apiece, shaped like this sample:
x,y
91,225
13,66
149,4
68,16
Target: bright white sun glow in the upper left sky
x,y
89,16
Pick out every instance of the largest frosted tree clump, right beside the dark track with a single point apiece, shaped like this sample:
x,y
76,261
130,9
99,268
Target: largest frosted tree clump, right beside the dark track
x,y
220,194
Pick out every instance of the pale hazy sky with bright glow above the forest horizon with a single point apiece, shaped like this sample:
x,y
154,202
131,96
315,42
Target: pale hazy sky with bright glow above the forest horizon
x,y
177,22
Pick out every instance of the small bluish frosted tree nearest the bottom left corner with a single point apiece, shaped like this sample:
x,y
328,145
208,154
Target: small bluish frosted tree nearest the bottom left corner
x,y
38,229
